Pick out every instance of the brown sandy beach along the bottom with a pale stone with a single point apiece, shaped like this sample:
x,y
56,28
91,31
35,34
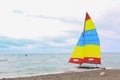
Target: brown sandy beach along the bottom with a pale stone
x,y
111,74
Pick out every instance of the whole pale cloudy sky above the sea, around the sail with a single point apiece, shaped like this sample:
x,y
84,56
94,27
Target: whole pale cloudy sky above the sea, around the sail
x,y
54,26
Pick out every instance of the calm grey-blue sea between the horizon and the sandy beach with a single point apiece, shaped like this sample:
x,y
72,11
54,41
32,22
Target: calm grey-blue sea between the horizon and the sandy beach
x,y
20,65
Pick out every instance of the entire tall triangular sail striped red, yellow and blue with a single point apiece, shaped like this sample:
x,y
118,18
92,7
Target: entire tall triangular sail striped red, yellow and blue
x,y
87,49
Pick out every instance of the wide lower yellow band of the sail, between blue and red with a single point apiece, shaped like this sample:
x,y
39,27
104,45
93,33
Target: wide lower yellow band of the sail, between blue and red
x,y
88,50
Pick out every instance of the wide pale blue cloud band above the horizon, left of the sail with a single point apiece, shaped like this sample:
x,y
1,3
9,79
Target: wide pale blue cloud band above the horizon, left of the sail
x,y
49,45
